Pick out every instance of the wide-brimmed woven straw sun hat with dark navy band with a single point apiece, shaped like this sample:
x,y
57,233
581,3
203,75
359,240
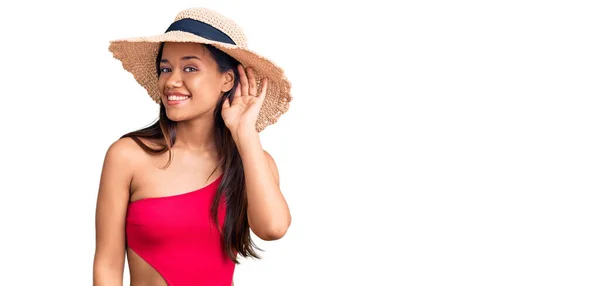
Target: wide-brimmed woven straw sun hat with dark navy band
x,y
201,25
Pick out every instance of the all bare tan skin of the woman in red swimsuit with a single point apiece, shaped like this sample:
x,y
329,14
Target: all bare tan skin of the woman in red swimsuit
x,y
130,174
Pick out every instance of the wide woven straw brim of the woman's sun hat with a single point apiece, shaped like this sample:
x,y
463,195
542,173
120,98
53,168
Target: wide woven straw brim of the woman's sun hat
x,y
138,56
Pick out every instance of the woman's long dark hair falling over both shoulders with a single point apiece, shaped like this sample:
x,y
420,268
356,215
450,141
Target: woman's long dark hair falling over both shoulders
x,y
235,234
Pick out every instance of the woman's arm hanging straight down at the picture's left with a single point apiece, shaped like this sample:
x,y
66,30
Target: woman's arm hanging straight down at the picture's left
x,y
111,209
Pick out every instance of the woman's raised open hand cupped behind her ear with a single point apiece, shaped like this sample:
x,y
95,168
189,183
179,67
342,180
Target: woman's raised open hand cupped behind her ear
x,y
241,113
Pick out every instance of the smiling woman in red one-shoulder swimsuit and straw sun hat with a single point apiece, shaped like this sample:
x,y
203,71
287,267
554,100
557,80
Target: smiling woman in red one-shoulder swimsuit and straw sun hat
x,y
181,196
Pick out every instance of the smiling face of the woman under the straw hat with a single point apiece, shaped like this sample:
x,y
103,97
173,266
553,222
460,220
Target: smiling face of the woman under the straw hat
x,y
190,81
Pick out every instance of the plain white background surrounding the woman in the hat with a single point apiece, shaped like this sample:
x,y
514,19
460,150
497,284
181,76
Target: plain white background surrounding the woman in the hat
x,y
428,143
